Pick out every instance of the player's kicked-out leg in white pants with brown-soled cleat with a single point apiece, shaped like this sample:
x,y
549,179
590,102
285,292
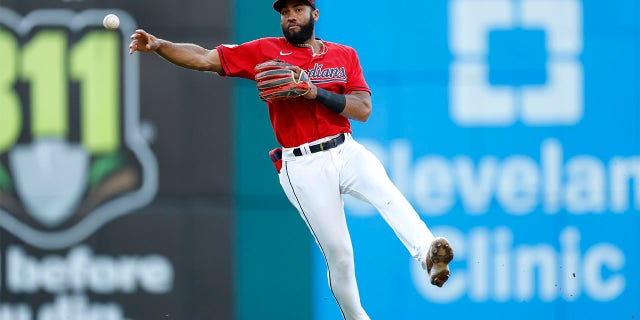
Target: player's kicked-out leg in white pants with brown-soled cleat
x,y
364,177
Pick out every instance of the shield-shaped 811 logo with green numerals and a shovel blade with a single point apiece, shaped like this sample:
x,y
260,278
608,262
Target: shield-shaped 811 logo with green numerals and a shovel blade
x,y
72,154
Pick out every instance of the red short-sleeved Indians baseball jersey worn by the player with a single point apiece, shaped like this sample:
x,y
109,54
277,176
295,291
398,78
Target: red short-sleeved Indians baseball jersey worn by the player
x,y
297,121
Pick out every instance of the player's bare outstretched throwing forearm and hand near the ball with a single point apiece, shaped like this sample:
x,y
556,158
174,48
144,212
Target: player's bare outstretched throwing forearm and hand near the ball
x,y
186,55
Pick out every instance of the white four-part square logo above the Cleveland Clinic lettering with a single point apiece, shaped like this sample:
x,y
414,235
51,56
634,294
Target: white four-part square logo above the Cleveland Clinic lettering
x,y
544,88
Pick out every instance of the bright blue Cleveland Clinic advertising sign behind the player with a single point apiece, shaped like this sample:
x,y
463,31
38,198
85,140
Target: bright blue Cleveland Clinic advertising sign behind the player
x,y
512,126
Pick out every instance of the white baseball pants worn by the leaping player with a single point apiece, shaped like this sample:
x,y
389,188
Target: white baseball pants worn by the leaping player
x,y
315,182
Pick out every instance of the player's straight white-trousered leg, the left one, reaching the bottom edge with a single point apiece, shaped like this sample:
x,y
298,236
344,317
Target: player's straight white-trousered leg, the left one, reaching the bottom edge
x,y
311,184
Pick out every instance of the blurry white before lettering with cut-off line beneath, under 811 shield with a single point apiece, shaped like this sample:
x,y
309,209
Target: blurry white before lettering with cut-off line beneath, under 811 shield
x,y
71,280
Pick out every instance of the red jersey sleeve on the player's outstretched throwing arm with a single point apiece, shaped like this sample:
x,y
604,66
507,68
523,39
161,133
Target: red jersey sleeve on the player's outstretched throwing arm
x,y
239,60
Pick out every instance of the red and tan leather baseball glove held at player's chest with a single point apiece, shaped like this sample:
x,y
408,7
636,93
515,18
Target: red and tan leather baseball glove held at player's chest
x,y
276,82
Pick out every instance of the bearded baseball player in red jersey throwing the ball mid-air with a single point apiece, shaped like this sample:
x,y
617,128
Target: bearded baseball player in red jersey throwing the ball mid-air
x,y
312,88
